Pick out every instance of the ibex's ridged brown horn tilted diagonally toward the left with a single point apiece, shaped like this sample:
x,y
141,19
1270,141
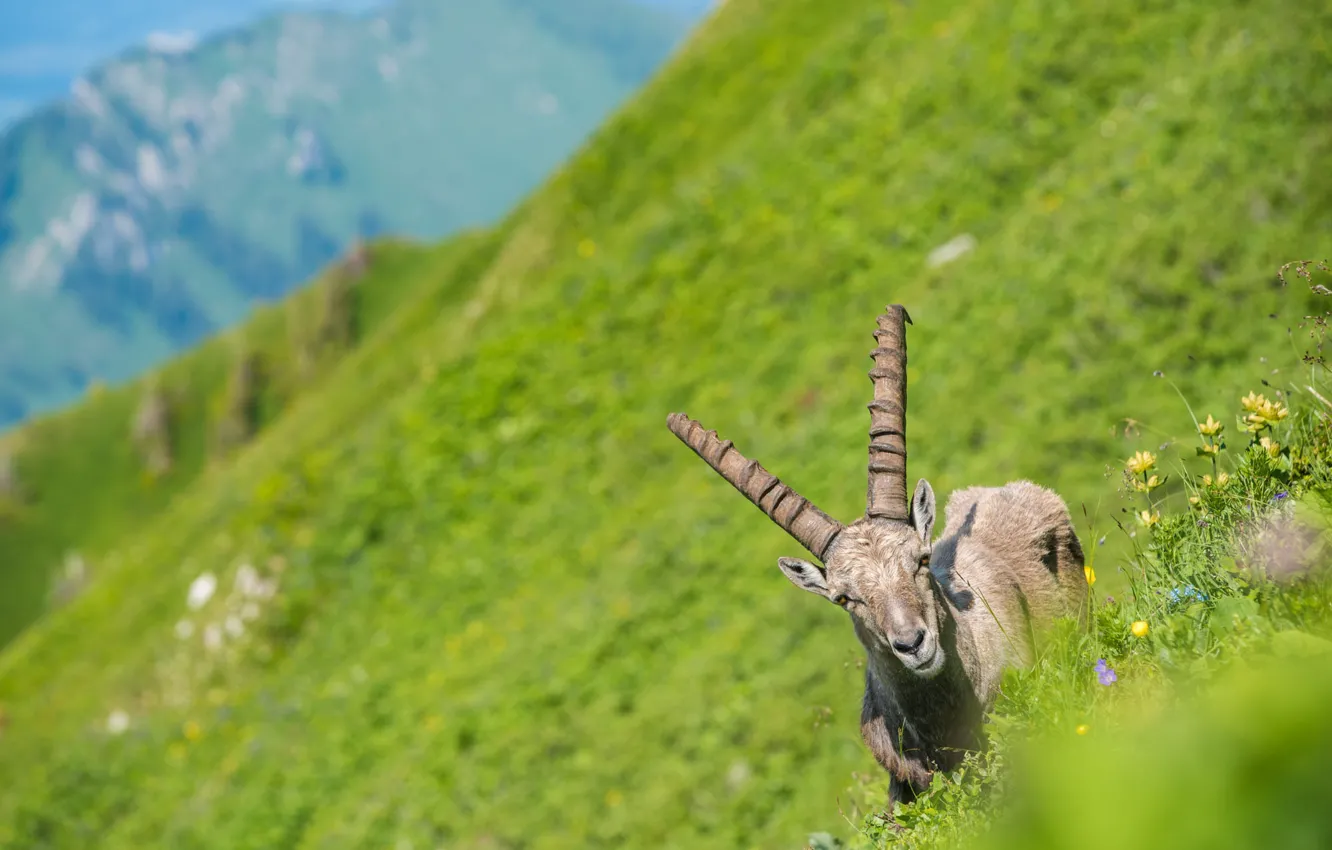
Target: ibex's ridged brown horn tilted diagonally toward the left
x,y
797,516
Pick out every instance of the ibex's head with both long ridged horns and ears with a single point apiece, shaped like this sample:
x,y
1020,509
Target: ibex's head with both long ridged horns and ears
x,y
877,568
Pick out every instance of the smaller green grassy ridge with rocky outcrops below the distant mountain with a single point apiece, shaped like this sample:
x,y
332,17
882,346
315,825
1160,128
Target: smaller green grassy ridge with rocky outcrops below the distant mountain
x,y
82,479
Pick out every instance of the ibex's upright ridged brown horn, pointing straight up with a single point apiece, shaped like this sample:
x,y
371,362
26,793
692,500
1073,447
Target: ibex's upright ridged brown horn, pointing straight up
x,y
888,495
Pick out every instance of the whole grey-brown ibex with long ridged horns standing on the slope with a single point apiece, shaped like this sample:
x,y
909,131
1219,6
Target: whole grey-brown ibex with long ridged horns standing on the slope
x,y
940,620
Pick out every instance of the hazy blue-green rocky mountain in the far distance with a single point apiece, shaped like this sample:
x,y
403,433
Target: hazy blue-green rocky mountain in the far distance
x,y
176,190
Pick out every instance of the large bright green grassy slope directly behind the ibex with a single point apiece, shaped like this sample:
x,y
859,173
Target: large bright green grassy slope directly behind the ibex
x,y
513,611
